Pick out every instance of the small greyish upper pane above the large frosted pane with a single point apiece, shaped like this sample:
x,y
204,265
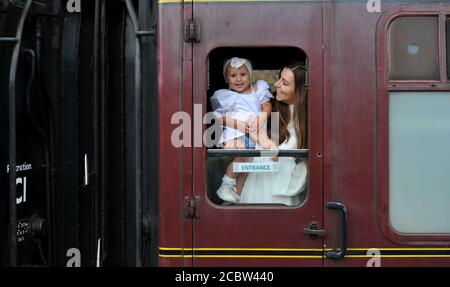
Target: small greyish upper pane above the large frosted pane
x,y
414,49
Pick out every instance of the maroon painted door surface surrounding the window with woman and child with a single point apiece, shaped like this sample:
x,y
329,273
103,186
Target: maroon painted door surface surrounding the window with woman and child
x,y
268,228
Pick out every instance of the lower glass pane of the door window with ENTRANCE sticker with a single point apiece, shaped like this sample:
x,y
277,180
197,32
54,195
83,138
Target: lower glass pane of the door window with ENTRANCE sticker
x,y
259,180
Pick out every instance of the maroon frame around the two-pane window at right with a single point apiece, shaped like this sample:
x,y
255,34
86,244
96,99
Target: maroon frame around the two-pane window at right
x,y
384,87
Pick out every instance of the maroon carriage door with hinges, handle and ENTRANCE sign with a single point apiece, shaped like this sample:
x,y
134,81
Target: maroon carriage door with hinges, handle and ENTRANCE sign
x,y
269,35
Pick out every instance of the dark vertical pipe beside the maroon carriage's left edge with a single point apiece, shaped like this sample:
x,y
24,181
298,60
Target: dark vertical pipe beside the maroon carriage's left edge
x,y
138,127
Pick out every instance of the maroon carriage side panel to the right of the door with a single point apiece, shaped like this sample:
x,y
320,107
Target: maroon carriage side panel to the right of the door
x,y
359,142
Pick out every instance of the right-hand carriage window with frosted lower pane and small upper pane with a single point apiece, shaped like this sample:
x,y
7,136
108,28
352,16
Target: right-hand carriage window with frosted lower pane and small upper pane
x,y
414,126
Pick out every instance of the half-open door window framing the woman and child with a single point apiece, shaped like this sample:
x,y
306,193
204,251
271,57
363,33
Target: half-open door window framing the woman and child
x,y
254,171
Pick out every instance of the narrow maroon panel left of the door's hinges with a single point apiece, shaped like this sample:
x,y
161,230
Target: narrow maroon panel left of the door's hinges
x,y
174,163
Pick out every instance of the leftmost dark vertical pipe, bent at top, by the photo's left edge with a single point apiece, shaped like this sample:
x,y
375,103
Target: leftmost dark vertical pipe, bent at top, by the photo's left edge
x,y
12,134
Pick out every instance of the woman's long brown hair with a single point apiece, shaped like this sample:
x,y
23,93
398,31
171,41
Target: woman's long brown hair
x,y
300,108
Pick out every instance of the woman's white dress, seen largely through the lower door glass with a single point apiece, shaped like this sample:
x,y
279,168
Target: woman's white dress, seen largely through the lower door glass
x,y
282,187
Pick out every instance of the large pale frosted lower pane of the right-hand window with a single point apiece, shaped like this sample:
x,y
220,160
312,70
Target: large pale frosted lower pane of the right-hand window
x,y
419,162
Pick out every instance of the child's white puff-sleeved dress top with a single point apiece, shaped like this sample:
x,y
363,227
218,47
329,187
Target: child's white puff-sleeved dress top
x,y
239,106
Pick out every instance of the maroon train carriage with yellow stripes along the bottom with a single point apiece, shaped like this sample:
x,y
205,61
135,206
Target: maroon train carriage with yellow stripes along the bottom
x,y
378,126
